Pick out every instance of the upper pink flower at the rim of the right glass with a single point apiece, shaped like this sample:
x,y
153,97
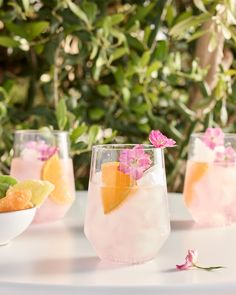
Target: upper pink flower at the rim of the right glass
x,y
213,137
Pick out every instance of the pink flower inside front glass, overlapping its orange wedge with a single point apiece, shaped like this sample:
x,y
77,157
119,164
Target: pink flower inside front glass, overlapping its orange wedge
x,y
134,161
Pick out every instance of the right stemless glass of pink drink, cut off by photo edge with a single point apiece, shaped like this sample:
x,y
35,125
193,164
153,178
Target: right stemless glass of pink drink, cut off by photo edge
x,y
210,187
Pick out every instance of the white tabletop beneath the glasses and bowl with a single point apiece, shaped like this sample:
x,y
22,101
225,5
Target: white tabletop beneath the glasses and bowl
x,y
56,259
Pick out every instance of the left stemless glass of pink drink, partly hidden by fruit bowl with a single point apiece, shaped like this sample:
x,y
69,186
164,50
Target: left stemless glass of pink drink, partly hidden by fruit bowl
x,y
44,155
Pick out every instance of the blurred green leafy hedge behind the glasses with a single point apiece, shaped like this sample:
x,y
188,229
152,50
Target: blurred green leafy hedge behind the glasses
x,y
111,71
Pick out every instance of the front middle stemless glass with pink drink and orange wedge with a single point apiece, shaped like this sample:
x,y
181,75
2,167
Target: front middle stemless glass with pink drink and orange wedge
x,y
127,217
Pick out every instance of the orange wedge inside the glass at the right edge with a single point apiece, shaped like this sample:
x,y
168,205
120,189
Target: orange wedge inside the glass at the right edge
x,y
195,171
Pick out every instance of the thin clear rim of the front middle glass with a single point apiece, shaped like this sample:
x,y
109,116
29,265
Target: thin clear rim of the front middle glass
x,y
121,146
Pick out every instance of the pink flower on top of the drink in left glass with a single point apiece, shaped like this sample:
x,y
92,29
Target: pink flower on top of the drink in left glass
x,y
44,150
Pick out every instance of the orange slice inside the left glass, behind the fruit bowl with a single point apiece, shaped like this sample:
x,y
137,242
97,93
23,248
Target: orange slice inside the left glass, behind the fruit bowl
x,y
53,172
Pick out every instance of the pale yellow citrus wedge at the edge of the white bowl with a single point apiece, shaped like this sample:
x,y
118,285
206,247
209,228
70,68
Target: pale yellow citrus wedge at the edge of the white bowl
x,y
40,190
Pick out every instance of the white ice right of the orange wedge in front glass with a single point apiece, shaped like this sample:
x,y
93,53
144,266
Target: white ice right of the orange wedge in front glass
x,y
153,176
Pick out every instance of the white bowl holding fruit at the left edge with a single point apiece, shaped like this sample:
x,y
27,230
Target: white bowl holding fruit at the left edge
x,y
13,223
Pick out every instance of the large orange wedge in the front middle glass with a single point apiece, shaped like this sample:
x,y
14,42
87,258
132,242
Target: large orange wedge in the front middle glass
x,y
116,186
